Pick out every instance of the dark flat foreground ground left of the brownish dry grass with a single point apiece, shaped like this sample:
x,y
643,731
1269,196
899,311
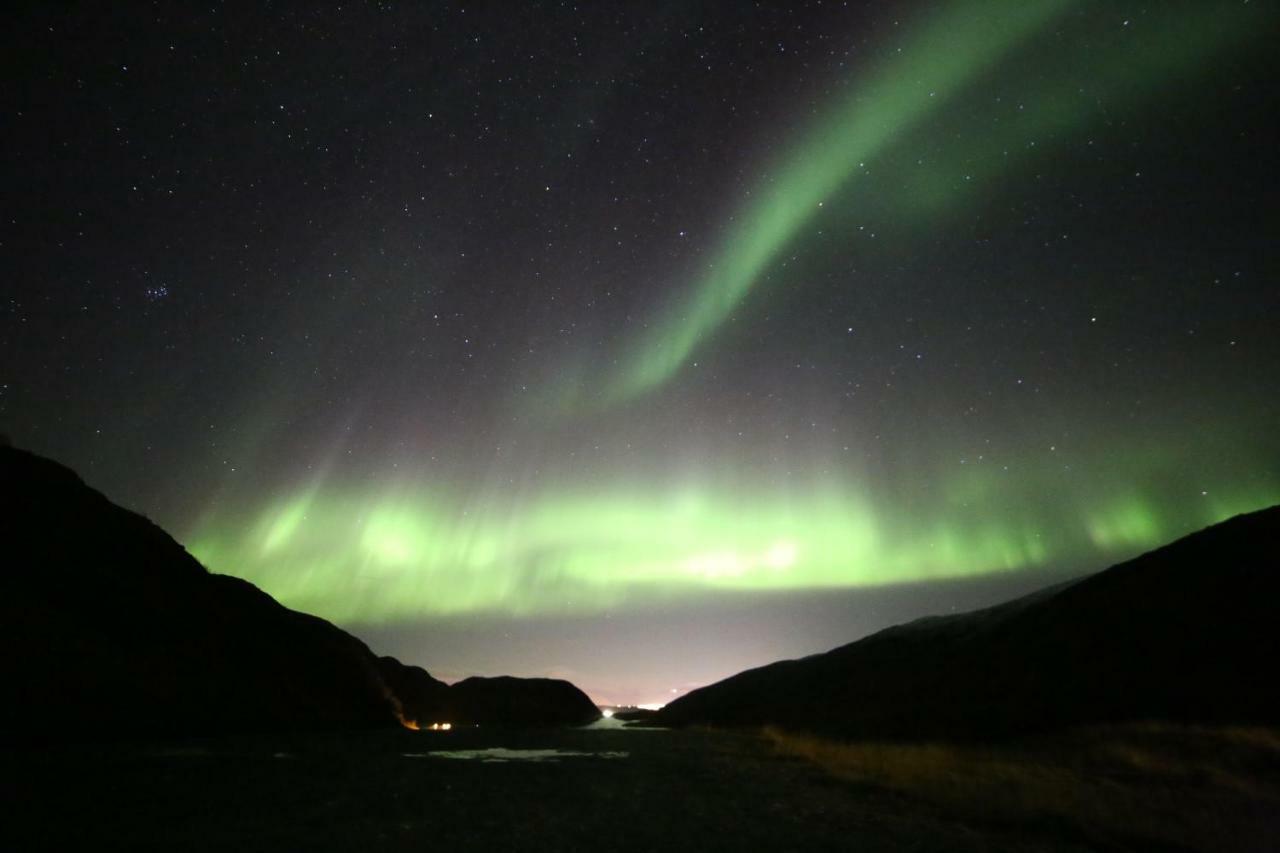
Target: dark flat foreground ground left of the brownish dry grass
x,y
674,791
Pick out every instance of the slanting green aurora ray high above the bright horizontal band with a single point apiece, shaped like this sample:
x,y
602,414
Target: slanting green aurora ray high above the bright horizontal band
x,y
934,65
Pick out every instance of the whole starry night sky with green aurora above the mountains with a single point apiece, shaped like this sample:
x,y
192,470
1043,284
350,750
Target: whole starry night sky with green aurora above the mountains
x,y
641,344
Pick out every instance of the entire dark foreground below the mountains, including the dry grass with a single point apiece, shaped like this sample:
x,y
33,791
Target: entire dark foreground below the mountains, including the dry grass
x,y
628,791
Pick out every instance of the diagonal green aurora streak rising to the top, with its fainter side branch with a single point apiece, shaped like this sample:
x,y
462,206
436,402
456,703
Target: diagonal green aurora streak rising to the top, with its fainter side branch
x,y
847,157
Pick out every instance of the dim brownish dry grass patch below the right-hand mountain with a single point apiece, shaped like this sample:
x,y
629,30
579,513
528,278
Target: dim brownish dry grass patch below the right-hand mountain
x,y
1199,788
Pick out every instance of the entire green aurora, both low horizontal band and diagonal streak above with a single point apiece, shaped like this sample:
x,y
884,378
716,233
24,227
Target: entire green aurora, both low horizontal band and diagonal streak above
x,y
574,540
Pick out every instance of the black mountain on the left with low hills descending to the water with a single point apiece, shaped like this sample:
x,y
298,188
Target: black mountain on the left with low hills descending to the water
x,y
115,631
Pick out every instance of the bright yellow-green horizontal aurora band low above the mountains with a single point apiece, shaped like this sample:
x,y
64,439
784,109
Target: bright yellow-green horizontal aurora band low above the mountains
x,y
396,554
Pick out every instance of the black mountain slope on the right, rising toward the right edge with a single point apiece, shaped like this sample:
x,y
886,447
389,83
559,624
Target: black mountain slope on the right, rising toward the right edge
x,y
1188,633
